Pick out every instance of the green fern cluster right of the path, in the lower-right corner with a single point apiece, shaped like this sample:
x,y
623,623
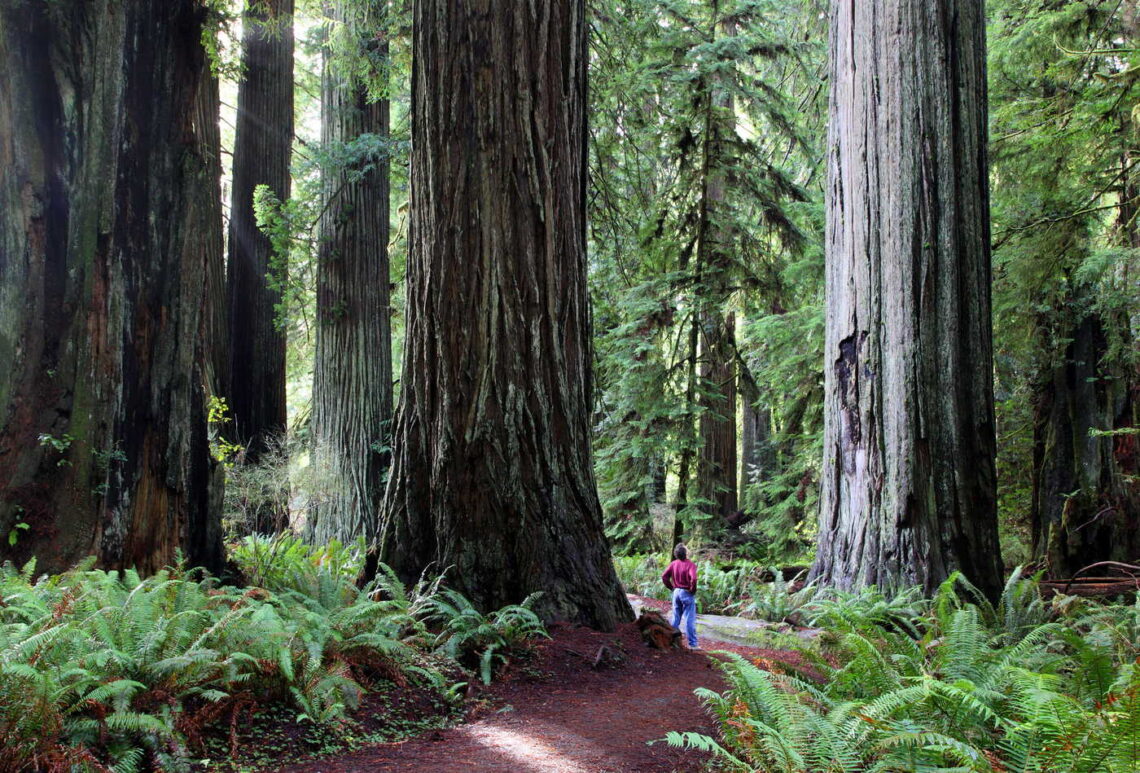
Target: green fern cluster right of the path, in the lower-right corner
x,y
956,684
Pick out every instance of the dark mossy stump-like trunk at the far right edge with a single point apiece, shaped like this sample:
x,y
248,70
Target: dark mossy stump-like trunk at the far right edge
x,y
1086,500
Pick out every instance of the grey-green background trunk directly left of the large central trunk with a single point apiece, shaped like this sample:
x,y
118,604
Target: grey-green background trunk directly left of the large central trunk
x,y
353,375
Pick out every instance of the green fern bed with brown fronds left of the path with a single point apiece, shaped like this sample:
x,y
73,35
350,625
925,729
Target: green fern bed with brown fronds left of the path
x,y
111,671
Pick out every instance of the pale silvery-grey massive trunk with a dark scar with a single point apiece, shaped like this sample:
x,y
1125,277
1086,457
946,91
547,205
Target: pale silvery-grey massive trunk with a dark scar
x,y
908,483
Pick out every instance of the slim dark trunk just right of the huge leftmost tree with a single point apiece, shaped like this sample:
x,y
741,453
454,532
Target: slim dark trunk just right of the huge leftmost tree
x,y
263,147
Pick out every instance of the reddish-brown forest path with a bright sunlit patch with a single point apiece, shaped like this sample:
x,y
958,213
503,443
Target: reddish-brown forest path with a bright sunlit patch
x,y
560,713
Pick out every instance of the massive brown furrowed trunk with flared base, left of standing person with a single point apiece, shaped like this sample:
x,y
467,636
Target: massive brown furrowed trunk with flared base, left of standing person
x,y
492,473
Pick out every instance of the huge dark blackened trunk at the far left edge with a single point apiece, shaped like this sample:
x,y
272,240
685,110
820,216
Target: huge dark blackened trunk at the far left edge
x,y
109,183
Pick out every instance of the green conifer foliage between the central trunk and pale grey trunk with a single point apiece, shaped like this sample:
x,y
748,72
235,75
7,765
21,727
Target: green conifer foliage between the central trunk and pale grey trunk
x,y
667,256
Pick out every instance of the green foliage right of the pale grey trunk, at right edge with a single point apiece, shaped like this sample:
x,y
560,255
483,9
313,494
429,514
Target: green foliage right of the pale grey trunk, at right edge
x,y
1063,93
